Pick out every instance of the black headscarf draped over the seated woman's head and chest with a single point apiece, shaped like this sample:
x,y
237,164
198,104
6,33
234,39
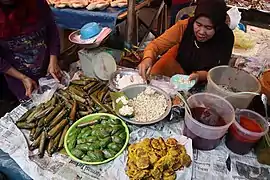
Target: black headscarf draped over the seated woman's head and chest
x,y
214,52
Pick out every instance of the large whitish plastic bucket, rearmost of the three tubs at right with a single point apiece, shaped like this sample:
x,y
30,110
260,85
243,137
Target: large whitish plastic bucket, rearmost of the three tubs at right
x,y
235,79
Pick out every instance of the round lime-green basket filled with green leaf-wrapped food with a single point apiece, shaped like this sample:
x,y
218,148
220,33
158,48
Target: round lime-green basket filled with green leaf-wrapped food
x,y
98,139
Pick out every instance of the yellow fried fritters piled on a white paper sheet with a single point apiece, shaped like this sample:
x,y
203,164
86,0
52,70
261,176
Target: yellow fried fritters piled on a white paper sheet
x,y
152,154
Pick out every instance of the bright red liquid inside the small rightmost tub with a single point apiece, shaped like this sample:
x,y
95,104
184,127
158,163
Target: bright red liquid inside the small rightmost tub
x,y
240,143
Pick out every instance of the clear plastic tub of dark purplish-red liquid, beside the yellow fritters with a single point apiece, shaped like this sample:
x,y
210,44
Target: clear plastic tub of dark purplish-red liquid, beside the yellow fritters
x,y
207,137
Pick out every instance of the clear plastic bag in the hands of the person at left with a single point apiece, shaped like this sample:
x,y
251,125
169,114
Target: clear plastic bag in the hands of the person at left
x,y
47,87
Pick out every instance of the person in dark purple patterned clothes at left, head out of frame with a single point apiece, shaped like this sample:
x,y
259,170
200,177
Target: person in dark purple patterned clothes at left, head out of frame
x,y
29,44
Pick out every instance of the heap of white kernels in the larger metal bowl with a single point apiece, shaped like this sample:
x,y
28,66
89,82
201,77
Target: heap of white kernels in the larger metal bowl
x,y
148,105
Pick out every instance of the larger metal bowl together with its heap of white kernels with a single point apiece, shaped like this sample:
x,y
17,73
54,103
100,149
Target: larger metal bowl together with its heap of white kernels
x,y
150,104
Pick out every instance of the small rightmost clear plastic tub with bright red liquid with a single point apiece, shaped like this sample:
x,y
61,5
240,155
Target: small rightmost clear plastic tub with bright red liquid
x,y
246,131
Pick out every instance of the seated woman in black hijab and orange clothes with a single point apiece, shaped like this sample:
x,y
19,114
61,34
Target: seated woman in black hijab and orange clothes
x,y
192,46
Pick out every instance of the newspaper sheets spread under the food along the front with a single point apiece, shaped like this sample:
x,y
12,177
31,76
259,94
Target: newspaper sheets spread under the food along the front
x,y
218,164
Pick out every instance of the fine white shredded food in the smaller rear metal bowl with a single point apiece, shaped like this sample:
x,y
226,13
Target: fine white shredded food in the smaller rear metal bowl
x,y
127,80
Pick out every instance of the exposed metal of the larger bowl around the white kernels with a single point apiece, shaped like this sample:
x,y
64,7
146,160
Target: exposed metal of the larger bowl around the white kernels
x,y
133,90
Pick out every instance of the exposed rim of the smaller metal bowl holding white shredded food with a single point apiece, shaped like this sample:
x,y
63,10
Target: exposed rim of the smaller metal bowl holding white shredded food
x,y
121,72
